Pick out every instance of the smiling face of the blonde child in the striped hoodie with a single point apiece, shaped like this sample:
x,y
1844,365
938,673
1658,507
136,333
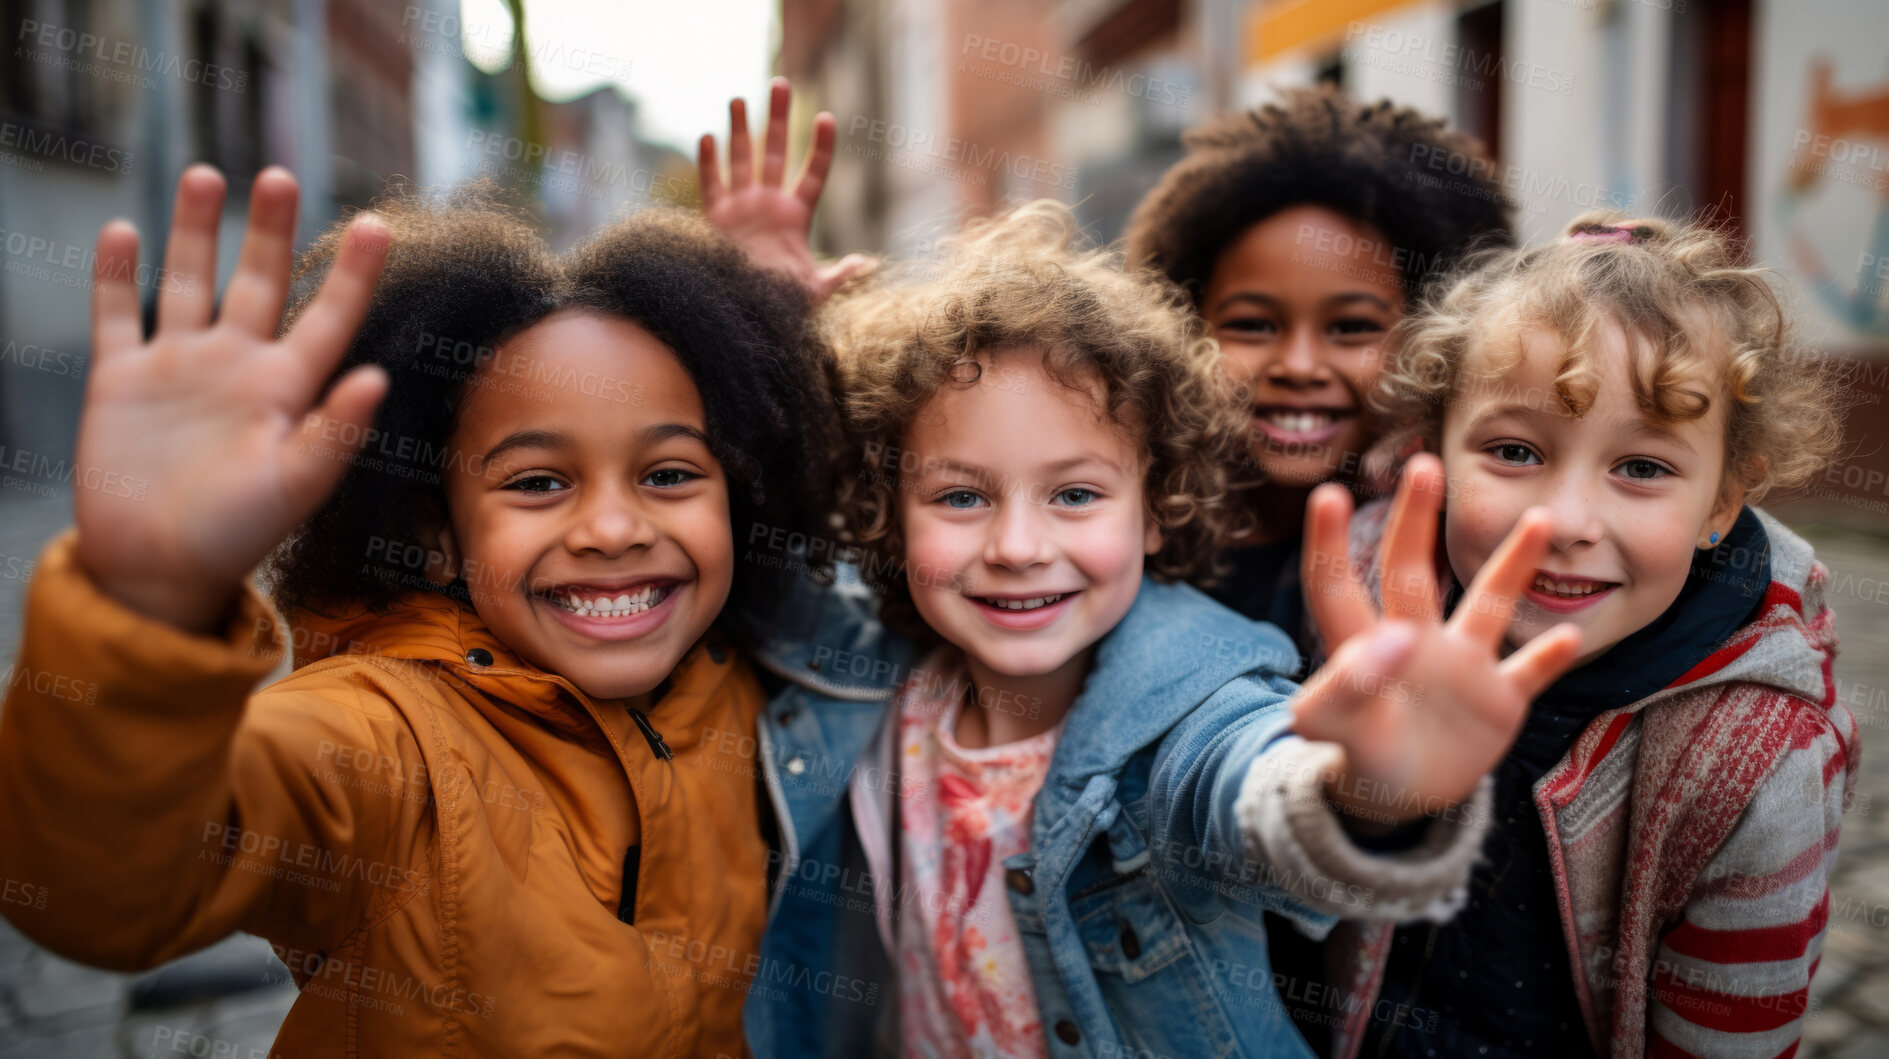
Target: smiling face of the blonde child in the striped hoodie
x,y
1631,496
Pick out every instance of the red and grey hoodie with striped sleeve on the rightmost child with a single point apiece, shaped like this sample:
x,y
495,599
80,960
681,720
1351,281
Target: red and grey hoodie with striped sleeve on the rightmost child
x,y
1692,835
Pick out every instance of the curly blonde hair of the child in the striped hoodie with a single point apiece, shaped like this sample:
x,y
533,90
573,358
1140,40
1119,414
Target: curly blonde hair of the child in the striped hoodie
x,y
1682,292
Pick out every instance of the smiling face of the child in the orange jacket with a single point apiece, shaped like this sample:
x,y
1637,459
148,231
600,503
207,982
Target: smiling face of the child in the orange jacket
x,y
592,528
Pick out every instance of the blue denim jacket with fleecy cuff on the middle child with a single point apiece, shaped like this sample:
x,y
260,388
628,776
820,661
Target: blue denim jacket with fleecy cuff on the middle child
x,y
1178,811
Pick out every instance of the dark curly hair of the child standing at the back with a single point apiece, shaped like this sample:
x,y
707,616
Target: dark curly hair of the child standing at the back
x,y
1431,192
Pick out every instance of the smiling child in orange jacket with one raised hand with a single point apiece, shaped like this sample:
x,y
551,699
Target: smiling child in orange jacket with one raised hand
x,y
490,813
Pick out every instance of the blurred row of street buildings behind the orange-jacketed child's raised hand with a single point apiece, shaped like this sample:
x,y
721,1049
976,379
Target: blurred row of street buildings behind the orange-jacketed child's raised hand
x,y
103,103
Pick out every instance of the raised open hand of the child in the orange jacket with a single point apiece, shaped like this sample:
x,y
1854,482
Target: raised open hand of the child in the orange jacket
x,y
203,446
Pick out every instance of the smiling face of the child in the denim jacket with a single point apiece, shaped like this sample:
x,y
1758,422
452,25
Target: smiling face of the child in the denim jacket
x,y
1027,518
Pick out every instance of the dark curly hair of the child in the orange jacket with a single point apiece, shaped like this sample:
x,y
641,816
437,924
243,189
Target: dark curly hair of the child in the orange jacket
x,y
466,273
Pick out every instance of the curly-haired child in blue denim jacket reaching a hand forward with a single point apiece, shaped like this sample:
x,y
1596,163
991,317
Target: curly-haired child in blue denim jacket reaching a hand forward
x,y
1064,835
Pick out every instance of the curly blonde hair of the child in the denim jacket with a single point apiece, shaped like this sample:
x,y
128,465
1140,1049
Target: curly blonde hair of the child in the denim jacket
x,y
1027,278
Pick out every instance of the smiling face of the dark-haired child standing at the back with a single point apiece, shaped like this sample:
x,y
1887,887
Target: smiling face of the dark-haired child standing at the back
x,y
1301,305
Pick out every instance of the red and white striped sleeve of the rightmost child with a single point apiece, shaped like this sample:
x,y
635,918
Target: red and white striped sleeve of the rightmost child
x,y
1733,977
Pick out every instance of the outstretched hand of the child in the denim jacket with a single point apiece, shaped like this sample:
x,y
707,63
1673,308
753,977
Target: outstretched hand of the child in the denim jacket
x,y
1421,707
